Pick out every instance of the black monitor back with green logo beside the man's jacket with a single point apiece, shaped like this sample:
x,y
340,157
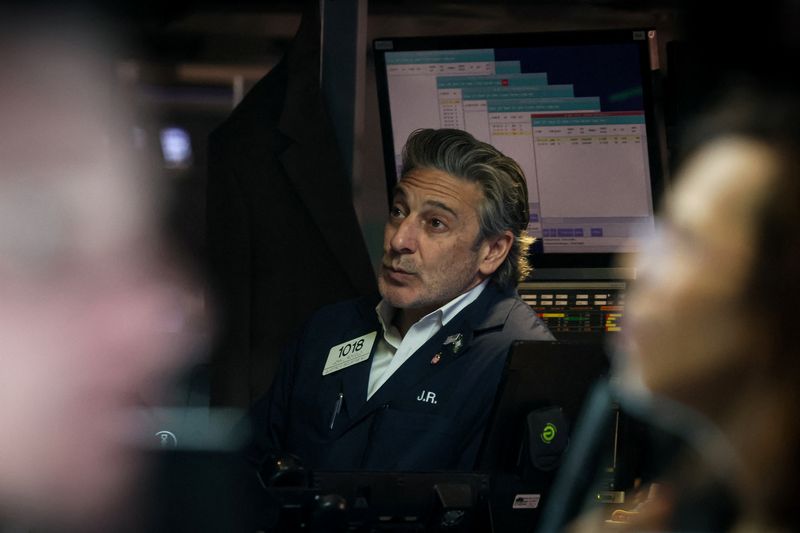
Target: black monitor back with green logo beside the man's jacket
x,y
534,418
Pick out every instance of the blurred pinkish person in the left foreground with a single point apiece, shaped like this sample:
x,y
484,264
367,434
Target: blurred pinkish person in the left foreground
x,y
90,309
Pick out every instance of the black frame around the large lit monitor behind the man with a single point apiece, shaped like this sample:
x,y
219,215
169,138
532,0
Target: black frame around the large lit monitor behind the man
x,y
546,265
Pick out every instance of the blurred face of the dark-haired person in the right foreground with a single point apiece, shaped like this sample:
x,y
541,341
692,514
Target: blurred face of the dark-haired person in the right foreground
x,y
688,330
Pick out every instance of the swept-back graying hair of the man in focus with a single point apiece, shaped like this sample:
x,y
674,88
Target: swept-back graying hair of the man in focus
x,y
505,203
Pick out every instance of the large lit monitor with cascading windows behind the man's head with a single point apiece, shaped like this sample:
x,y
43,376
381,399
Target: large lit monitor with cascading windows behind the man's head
x,y
574,109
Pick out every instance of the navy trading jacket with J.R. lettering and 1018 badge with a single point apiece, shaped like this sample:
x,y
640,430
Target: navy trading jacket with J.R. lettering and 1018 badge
x,y
429,415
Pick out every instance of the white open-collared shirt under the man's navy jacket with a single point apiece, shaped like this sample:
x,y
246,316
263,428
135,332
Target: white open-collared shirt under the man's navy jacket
x,y
393,349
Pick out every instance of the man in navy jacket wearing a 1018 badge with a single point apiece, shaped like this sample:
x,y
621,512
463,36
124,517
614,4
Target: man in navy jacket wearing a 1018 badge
x,y
407,382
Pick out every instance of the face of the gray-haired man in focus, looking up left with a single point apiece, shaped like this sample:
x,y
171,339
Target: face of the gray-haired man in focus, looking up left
x,y
429,250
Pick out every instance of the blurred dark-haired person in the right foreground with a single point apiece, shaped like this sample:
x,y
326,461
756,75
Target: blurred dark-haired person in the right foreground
x,y
711,323
